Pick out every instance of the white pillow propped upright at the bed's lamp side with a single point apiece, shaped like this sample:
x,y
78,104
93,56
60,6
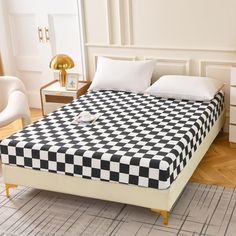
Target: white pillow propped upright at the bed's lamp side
x,y
133,76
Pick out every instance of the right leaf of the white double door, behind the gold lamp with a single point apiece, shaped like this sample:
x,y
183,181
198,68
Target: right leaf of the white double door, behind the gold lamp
x,y
64,30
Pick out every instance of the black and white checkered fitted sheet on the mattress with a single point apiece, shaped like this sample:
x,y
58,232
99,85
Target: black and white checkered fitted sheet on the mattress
x,y
139,139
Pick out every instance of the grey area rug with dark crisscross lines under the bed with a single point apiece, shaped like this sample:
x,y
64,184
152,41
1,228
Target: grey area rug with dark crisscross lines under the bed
x,y
201,210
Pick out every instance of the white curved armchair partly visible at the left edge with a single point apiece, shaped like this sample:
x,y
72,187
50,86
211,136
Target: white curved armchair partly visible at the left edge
x,y
13,101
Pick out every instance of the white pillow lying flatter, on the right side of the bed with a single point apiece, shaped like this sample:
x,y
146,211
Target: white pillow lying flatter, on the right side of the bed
x,y
185,87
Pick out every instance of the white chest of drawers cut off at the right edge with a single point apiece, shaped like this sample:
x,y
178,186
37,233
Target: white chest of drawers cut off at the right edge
x,y
232,119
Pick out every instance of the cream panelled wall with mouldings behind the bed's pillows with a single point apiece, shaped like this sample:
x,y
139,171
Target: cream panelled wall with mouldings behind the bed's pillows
x,y
196,37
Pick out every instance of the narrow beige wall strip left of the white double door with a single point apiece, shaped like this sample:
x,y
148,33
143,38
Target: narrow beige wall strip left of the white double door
x,y
5,50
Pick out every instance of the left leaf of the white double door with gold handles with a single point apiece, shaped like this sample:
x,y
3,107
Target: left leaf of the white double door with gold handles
x,y
29,52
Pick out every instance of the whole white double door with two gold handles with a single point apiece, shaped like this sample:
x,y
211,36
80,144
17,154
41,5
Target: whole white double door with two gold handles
x,y
56,23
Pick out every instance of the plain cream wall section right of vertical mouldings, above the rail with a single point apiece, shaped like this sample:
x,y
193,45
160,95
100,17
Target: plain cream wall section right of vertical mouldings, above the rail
x,y
184,24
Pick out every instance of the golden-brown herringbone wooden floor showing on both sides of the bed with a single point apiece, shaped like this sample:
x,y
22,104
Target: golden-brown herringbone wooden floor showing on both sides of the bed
x,y
217,167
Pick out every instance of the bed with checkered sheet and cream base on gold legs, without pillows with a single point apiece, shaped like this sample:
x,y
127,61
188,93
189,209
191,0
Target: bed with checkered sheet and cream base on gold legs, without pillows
x,y
142,150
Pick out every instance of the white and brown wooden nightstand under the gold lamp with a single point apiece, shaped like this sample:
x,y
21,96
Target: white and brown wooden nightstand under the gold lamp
x,y
54,96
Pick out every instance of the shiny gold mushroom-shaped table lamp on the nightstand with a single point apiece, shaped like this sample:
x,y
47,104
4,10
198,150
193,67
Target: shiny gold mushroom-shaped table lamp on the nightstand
x,y
61,62
